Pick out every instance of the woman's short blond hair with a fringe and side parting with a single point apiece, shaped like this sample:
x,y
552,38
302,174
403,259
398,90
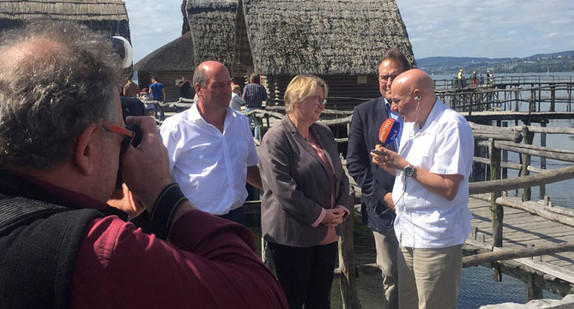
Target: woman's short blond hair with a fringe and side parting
x,y
302,87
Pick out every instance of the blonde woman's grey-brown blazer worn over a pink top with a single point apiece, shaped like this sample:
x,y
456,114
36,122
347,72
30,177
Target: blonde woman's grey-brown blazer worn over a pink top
x,y
296,184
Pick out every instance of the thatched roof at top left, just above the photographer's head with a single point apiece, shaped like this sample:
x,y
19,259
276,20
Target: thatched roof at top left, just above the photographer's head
x,y
108,16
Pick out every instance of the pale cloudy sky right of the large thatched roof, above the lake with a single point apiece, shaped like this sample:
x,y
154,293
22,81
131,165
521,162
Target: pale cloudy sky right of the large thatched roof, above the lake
x,y
489,28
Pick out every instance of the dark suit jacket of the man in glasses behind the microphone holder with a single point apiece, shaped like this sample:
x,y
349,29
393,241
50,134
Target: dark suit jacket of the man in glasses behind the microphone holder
x,y
374,181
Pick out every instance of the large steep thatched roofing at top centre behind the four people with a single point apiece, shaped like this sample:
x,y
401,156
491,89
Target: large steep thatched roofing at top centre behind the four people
x,y
288,37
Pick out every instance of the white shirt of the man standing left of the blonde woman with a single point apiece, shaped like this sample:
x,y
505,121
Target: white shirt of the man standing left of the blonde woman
x,y
210,166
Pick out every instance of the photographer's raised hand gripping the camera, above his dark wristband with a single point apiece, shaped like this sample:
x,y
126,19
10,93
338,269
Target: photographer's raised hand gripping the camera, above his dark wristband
x,y
145,169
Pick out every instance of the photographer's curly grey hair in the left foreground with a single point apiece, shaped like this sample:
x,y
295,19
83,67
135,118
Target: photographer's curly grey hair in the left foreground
x,y
48,99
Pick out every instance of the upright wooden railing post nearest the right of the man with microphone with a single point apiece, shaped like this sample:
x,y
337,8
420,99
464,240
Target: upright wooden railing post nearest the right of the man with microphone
x,y
497,212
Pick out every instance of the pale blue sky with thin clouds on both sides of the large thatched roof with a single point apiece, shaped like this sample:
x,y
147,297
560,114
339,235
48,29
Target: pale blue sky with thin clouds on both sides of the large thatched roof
x,y
457,28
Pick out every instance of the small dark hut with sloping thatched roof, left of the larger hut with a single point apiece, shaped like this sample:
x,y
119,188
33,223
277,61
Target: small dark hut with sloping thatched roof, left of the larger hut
x,y
168,63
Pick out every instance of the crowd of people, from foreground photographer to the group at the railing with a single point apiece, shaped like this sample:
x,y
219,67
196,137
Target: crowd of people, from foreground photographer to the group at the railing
x,y
124,214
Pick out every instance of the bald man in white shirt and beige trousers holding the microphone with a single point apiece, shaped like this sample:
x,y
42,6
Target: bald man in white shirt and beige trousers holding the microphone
x,y
430,194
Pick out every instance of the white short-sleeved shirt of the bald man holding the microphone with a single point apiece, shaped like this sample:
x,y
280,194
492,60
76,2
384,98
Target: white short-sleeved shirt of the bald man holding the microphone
x,y
445,146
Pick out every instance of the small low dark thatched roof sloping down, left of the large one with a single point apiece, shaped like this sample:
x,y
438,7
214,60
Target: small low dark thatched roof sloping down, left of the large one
x,y
176,55
